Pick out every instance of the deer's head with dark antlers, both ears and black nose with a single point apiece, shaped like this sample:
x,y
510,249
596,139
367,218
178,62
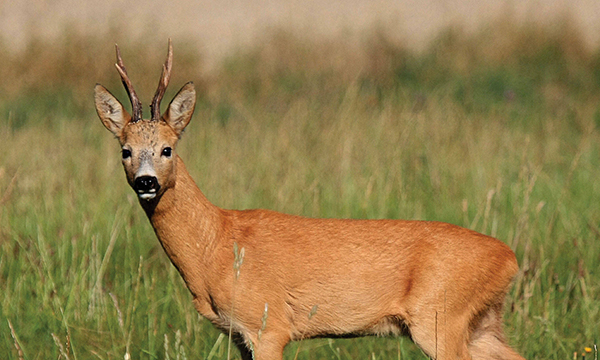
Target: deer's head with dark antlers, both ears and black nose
x,y
148,146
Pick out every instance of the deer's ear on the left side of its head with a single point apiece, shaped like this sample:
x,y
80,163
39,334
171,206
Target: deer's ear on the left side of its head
x,y
110,110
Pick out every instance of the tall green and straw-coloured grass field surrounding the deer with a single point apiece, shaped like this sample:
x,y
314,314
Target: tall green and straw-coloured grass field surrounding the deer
x,y
496,131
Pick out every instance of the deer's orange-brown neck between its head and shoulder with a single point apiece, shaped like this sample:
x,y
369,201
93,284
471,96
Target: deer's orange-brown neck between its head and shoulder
x,y
187,226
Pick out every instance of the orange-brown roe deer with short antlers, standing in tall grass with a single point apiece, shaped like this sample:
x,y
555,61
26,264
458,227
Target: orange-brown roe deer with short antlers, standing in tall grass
x,y
271,278
